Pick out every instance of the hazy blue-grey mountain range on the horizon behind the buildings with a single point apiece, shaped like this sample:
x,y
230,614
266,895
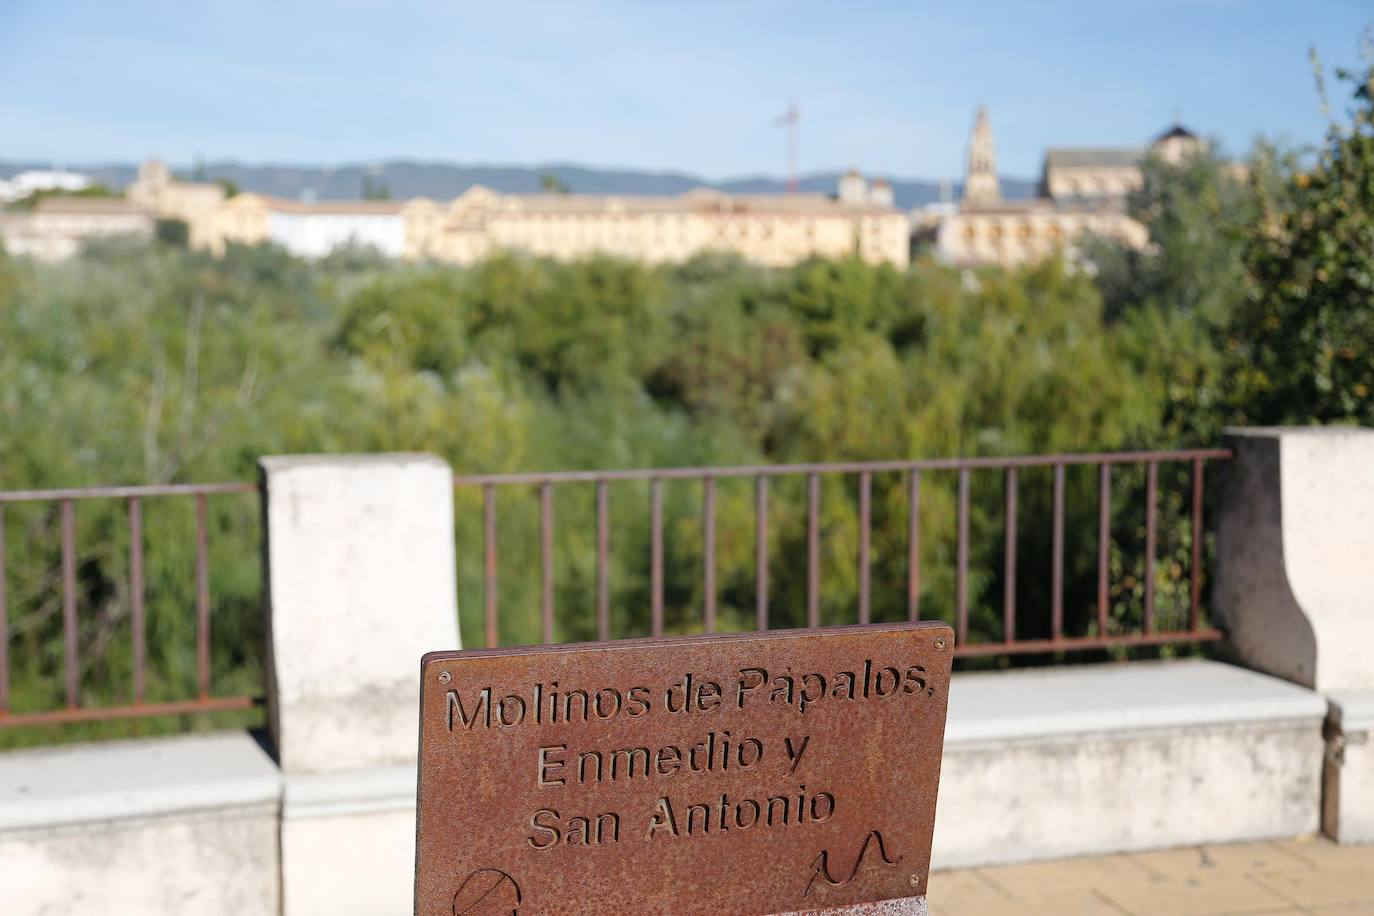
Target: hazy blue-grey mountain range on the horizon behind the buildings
x,y
405,179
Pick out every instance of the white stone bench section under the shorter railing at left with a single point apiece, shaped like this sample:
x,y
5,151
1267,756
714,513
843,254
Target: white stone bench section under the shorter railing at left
x,y
166,826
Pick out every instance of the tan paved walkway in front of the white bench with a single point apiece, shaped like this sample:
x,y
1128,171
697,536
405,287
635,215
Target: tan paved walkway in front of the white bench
x,y
1311,877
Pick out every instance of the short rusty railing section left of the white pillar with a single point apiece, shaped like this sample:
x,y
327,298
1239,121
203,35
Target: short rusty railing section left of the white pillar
x,y
74,709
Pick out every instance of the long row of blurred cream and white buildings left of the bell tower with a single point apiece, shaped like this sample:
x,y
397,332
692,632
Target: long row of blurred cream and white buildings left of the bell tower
x,y
776,230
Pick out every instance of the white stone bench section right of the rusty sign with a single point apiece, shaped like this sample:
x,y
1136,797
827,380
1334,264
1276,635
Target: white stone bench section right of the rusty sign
x,y
1075,762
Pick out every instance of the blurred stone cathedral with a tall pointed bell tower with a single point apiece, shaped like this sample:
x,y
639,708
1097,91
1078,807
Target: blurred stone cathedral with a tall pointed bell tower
x,y
1082,192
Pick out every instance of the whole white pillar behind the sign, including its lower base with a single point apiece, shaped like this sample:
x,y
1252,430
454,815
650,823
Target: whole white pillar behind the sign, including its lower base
x,y
361,583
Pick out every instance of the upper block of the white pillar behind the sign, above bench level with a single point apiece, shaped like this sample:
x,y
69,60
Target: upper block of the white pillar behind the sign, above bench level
x,y
362,583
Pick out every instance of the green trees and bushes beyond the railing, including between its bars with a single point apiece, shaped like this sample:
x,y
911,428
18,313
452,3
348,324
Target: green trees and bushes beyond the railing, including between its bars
x,y
152,363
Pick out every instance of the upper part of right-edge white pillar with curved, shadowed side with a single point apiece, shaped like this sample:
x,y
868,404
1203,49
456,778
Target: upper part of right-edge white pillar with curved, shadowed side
x,y
1295,543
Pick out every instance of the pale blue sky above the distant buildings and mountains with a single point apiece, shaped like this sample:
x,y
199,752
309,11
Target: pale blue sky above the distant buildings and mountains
x,y
693,86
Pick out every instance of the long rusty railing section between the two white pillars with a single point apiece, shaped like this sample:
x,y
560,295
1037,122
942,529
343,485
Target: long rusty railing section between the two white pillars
x,y
1055,641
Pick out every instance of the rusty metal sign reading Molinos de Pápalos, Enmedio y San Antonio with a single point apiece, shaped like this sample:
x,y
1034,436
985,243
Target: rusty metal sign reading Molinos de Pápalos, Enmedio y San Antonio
x,y
754,774
